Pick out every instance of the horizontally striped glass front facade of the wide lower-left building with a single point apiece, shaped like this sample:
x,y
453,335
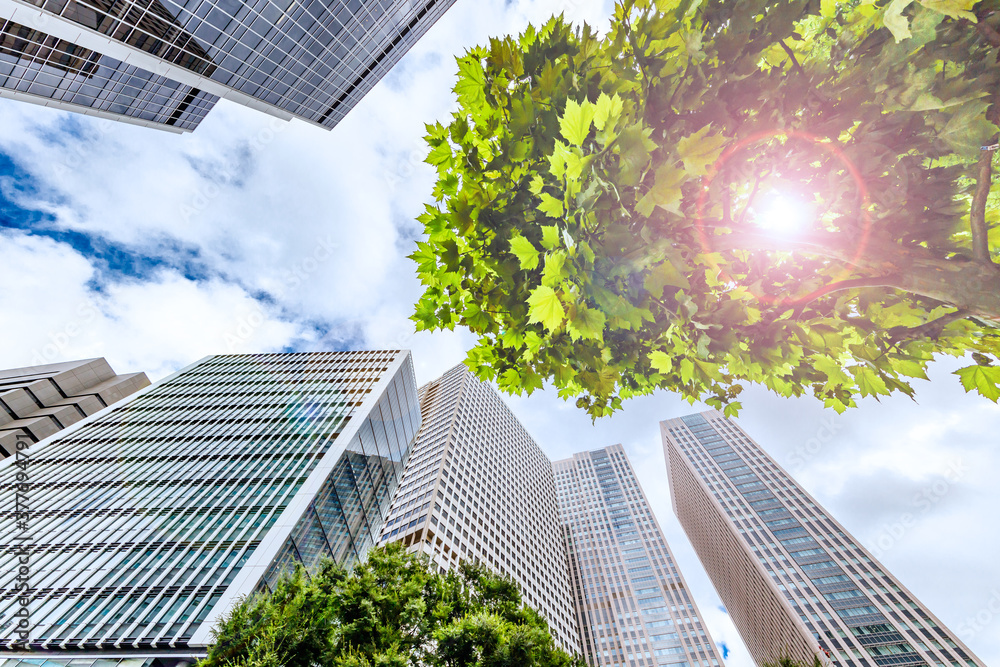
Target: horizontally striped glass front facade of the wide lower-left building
x,y
142,518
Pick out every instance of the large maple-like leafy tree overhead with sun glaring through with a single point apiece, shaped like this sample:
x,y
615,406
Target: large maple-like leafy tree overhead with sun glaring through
x,y
608,208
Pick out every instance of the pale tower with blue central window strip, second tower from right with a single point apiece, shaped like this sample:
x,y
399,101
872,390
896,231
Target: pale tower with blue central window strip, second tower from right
x,y
632,605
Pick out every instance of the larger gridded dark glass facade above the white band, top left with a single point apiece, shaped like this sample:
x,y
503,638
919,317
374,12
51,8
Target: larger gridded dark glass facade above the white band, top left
x,y
310,58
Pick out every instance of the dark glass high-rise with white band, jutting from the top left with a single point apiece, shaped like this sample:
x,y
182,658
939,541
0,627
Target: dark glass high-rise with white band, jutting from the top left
x,y
165,63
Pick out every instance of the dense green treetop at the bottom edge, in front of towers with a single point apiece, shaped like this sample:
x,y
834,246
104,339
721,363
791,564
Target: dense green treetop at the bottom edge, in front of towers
x,y
390,611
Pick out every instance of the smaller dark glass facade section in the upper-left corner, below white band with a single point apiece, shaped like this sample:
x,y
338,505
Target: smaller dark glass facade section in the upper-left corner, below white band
x,y
37,64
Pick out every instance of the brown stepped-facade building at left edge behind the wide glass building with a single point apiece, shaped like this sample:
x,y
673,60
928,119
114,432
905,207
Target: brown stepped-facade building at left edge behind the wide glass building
x,y
38,401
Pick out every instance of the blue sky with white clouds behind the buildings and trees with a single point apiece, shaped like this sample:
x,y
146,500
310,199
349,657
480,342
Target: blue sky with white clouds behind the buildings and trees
x,y
255,235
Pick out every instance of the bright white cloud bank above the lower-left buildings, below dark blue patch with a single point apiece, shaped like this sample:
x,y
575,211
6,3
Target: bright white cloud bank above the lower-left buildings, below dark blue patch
x,y
156,326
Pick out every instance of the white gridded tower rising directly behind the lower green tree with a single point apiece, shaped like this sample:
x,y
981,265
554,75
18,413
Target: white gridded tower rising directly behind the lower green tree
x,y
478,488
